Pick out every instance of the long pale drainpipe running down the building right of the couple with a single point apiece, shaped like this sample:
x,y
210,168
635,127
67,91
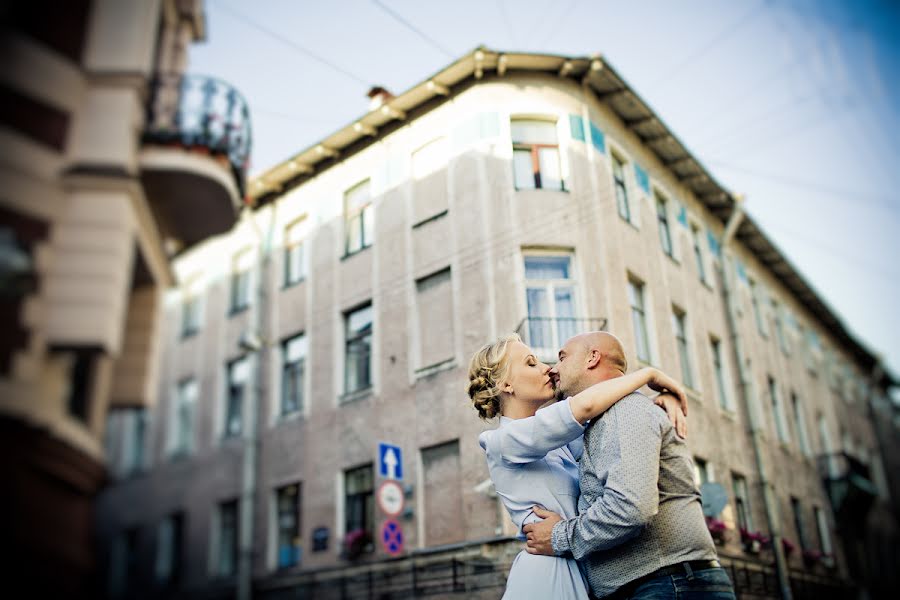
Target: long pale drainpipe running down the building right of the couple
x,y
746,385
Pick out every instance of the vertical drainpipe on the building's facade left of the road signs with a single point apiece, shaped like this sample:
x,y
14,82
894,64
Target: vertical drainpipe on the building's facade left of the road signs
x,y
254,342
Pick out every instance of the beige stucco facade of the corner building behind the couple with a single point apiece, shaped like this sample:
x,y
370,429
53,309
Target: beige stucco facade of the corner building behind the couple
x,y
460,210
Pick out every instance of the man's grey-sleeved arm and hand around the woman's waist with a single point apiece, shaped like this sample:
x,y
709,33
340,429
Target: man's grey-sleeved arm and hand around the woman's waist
x,y
630,440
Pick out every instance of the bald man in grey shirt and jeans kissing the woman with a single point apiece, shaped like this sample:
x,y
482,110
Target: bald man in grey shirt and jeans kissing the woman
x,y
640,532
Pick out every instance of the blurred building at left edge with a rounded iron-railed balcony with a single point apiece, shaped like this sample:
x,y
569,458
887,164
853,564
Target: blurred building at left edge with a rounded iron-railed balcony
x,y
109,153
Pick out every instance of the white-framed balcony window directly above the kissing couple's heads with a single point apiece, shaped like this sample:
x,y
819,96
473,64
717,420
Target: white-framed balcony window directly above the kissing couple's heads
x,y
550,298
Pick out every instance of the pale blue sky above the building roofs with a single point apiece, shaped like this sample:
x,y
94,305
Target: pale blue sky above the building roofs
x,y
794,103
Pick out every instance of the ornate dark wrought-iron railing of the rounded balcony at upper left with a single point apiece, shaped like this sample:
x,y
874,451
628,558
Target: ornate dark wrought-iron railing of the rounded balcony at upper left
x,y
203,113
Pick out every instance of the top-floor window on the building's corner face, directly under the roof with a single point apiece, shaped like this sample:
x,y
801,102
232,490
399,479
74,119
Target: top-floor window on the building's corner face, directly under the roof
x,y
536,155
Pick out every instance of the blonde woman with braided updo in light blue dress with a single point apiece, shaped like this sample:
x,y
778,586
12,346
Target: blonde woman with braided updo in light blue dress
x,y
532,456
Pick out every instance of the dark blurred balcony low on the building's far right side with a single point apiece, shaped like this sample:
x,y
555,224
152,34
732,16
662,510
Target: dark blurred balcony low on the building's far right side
x,y
849,487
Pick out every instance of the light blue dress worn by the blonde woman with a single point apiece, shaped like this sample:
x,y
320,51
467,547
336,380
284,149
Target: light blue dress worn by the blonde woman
x,y
534,461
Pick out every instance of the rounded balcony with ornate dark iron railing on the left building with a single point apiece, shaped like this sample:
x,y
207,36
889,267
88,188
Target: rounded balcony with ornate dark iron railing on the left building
x,y
195,155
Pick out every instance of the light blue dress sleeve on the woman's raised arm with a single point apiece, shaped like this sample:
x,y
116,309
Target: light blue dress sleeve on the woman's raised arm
x,y
529,439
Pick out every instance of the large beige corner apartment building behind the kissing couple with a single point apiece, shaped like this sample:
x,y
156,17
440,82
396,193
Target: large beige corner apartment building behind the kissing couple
x,y
508,192
